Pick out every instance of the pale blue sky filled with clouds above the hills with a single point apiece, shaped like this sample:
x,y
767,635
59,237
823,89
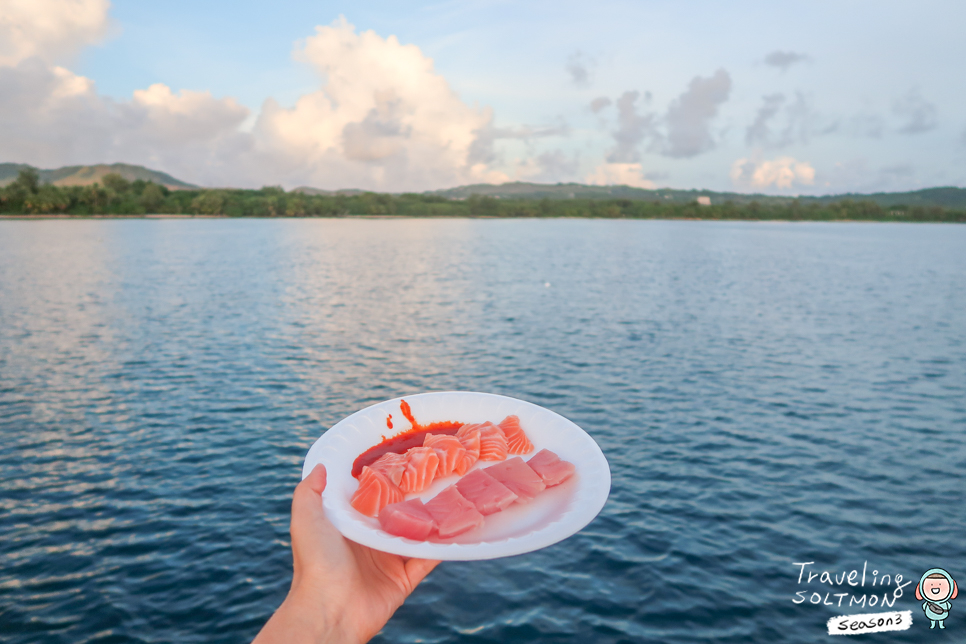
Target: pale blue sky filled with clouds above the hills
x,y
787,98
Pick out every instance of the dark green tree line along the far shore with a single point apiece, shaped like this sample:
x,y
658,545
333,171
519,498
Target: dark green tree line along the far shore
x,y
120,197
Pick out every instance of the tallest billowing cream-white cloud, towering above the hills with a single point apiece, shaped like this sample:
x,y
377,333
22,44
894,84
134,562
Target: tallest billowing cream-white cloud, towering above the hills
x,y
384,117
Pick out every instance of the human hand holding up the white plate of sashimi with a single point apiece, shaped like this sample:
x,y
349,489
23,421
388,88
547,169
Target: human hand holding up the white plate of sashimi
x,y
341,591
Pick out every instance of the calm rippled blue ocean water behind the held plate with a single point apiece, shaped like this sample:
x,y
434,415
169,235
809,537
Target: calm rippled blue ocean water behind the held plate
x,y
765,394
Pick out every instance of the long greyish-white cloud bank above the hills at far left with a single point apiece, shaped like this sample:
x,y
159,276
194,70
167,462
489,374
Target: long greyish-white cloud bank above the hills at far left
x,y
50,116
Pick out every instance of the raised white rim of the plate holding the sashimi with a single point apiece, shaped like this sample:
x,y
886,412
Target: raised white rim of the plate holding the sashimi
x,y
592,493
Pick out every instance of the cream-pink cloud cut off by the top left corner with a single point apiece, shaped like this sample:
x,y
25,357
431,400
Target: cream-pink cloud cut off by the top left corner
x,y
49,29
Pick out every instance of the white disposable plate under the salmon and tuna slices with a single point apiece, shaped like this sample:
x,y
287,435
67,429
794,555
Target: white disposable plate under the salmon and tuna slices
x,y
552,516
